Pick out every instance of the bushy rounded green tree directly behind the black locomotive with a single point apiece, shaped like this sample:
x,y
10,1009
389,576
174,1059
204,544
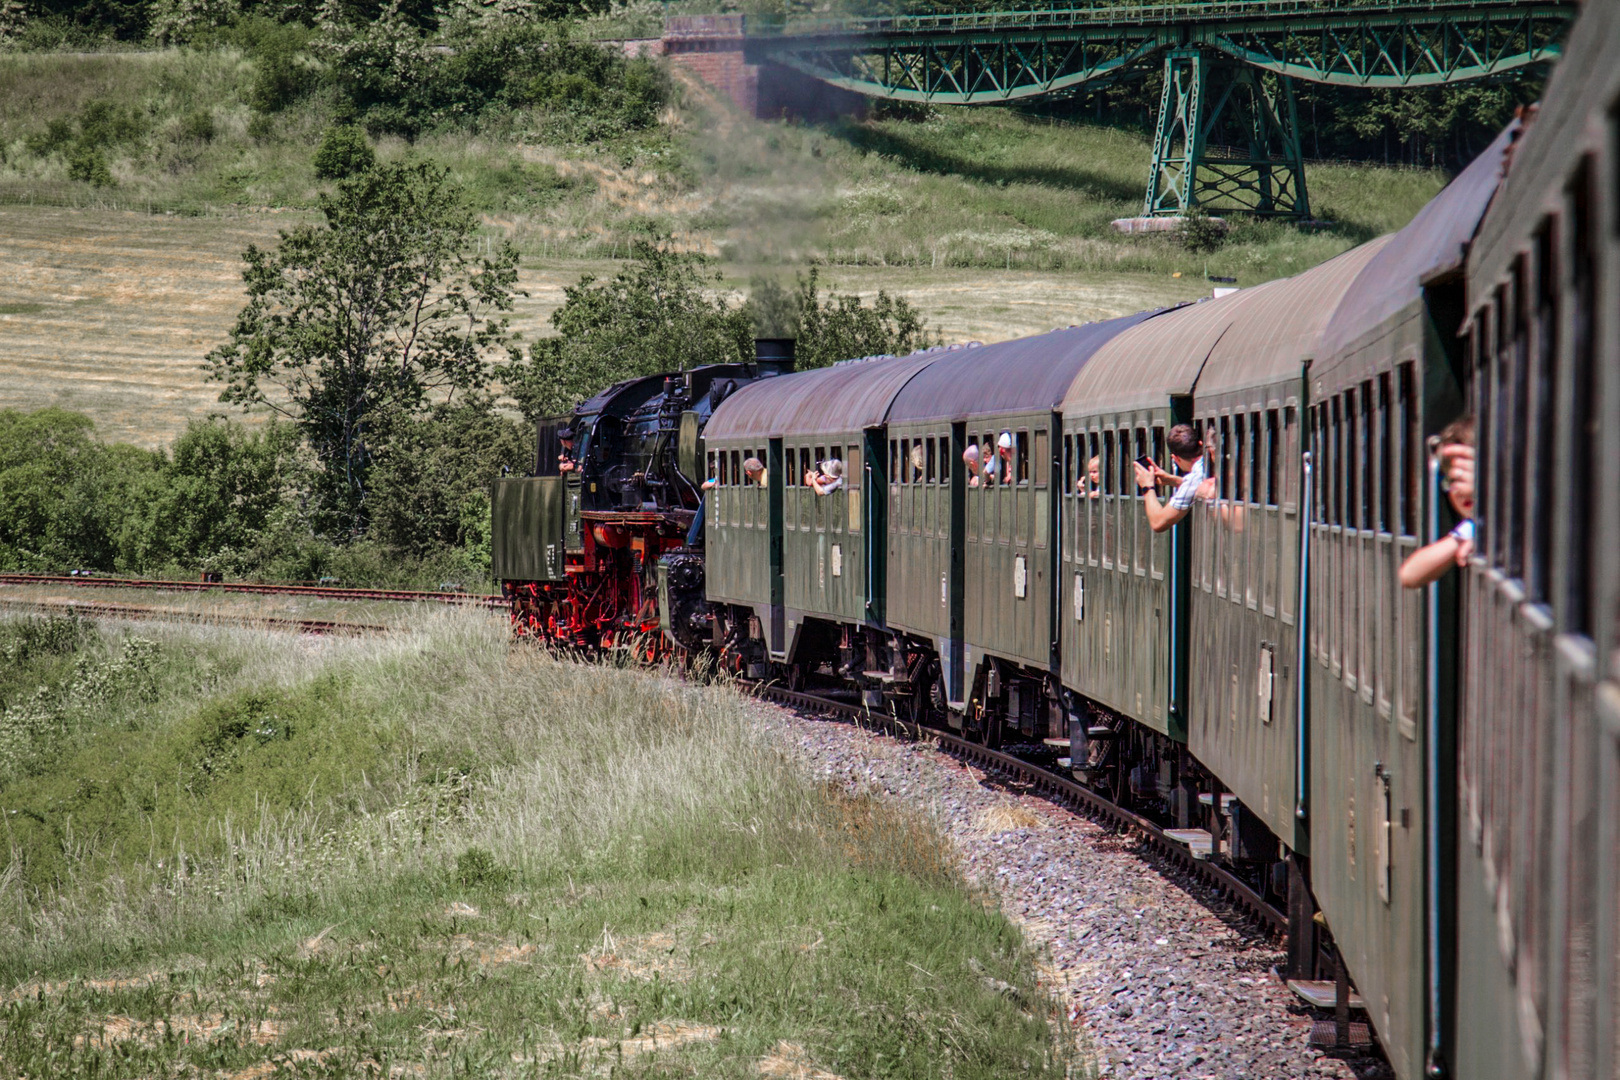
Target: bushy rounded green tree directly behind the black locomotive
x,y
660,313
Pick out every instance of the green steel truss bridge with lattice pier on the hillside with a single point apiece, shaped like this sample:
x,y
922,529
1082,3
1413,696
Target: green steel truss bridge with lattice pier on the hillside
x,y
1229,132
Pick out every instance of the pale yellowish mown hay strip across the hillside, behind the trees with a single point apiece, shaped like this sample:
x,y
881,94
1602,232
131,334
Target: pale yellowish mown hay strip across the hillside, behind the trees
x,y
111,312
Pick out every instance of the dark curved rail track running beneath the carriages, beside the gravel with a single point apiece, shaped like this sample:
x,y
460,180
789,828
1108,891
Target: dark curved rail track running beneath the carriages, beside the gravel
x,y
1060,789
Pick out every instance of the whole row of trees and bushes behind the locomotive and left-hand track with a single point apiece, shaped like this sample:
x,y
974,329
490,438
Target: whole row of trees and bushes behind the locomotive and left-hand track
x,y
378,346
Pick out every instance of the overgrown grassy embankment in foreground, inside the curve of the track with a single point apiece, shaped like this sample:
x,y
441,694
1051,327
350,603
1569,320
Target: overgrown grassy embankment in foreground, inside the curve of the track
x,y
241,856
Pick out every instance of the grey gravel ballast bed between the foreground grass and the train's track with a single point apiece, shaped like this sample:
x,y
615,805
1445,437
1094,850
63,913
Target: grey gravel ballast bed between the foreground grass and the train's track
x,y
1157,984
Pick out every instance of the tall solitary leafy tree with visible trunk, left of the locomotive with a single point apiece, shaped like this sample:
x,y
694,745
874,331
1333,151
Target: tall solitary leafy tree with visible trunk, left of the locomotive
x,y
357,326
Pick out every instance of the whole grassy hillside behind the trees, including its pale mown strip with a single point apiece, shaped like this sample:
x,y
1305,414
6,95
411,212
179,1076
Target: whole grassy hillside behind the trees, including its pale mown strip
x,y
992,223
